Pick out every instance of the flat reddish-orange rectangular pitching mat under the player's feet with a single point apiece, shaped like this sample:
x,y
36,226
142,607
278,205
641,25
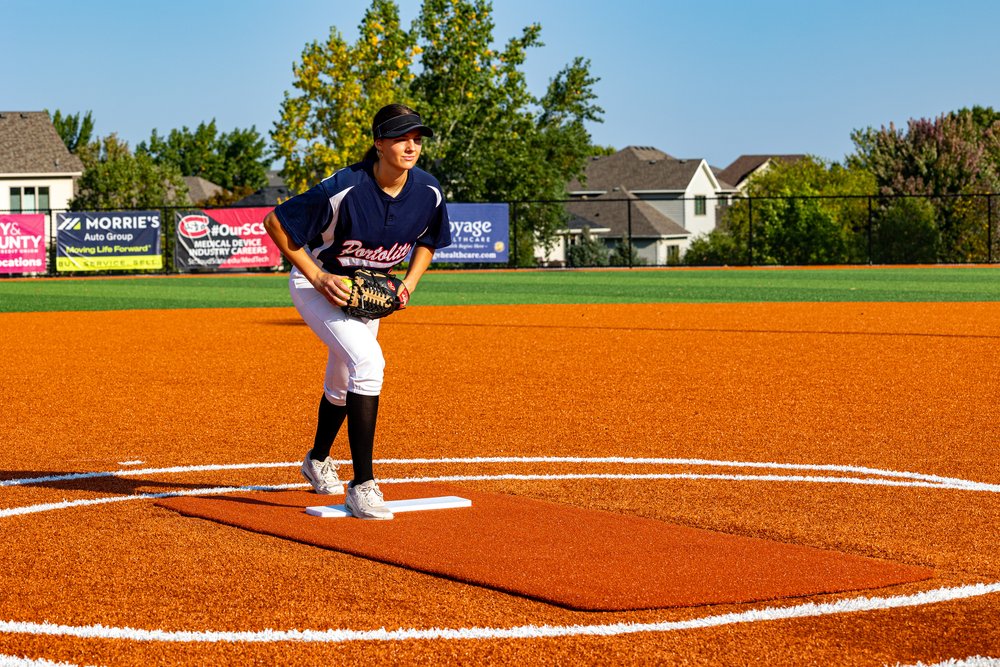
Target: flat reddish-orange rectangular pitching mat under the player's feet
x,y
580,559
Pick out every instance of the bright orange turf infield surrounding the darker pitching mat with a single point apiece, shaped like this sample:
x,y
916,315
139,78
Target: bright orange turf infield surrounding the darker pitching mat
x,y
863,429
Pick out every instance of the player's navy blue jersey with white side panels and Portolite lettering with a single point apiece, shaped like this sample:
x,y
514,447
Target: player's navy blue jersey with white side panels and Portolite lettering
x,y
347,221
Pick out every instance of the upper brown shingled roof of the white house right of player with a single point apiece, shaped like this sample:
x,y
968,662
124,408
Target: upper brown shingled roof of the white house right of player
x,y
640,168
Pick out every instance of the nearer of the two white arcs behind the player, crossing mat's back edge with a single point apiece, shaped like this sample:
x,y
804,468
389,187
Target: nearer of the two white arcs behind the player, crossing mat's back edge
x,y
220,490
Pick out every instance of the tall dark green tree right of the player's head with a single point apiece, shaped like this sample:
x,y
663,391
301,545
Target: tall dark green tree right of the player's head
x,y
497,141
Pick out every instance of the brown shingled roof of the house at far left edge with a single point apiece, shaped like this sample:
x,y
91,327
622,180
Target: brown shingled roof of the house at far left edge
x,y
29,144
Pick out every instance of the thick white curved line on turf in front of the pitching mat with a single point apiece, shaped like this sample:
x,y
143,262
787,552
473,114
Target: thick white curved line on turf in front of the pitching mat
x,y
806,610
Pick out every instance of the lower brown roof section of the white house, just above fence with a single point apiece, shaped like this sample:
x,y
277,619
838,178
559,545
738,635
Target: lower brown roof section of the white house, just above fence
x,y
609,210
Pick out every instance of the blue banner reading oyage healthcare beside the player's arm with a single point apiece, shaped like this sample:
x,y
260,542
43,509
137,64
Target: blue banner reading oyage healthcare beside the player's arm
x,y
479,233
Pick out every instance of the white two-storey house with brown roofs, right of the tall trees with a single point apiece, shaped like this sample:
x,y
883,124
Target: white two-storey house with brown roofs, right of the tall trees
x,y
660,202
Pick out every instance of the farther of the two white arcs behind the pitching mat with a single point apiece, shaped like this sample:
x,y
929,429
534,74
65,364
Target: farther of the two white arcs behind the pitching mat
x,y
514,459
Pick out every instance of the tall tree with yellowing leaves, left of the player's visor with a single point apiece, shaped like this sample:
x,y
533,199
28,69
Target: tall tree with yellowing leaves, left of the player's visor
x,y
326,124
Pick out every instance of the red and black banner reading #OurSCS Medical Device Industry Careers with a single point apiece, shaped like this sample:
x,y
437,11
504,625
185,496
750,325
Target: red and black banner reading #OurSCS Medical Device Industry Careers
x,y
224,238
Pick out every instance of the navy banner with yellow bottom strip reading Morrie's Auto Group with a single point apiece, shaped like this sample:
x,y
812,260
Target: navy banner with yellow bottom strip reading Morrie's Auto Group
x,y
108,240
